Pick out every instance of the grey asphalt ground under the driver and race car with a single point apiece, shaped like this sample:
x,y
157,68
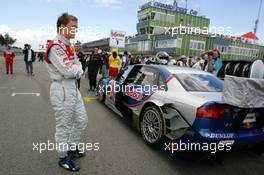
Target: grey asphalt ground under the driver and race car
x,y
28,118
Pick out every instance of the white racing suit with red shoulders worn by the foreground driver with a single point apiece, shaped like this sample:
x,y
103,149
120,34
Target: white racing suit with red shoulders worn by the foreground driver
x,y
71,118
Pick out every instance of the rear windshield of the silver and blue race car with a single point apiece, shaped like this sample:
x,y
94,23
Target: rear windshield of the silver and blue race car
x,y
200,82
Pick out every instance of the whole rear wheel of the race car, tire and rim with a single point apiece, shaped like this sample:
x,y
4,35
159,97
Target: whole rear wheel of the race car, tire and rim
x,y
152,126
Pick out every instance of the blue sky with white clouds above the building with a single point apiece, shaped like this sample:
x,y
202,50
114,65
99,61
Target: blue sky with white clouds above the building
x,y
34,21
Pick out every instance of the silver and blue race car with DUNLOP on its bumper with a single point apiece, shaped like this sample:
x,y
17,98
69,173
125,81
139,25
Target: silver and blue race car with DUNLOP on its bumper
x,y
178,103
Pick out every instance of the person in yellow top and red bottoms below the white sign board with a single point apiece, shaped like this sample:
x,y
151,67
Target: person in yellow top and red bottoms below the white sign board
x,y
114,63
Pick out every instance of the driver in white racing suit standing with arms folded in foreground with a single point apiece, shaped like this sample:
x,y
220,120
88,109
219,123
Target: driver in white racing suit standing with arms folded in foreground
x,y
64,69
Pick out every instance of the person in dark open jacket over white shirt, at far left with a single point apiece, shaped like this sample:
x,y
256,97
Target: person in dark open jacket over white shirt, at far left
x,y
29,58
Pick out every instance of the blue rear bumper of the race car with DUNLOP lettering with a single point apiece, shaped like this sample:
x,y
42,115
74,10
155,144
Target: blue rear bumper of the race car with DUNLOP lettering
x,y
222,130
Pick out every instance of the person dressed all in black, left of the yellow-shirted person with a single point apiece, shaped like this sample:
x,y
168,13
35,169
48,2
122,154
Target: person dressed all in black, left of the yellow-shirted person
x,y
94,63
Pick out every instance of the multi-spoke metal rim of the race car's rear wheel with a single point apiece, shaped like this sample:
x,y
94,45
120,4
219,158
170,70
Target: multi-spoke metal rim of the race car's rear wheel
x,y
151,126
